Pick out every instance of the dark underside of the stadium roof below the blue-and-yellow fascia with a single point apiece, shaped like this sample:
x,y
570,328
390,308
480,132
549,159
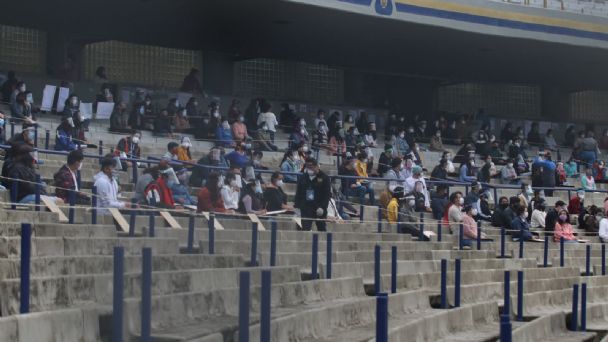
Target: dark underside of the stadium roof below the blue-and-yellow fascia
x,y
289,30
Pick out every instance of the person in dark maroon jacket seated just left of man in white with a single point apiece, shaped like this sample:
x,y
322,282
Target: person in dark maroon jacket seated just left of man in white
x,y
65,180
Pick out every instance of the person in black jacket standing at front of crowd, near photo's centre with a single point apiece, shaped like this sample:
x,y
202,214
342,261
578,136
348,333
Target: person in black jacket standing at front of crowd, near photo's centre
x,y
312,195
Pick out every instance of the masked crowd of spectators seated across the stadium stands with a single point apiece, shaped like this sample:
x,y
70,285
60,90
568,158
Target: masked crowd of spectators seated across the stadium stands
x,y
230,180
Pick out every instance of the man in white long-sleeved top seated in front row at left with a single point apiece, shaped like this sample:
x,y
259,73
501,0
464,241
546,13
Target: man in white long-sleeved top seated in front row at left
x,y
107,188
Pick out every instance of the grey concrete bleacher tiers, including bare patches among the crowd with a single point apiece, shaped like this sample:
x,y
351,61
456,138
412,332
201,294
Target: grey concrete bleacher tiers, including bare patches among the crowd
x,y
195,294
